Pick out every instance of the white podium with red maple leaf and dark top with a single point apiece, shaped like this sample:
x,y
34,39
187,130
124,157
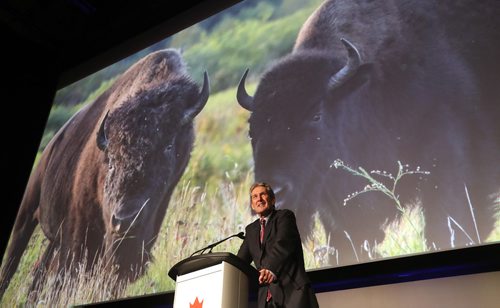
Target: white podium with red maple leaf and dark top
x,y
214,280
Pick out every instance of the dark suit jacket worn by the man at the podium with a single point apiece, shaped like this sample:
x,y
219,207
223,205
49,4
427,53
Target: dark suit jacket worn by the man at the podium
x,y
281,253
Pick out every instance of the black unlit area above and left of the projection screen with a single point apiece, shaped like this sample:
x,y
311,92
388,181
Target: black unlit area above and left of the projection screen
x,y
44,41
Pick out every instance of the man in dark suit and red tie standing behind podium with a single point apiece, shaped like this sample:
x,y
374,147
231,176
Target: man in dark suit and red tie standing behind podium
x,y
273,243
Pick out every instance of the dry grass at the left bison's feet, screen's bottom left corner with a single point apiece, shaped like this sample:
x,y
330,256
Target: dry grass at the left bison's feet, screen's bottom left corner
x,y
75,285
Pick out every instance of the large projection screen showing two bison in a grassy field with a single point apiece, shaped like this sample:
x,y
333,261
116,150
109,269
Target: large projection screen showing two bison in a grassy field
x,y
376,122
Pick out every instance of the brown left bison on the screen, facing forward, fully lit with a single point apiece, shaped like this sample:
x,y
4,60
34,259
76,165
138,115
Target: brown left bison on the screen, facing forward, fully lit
x,y
103,183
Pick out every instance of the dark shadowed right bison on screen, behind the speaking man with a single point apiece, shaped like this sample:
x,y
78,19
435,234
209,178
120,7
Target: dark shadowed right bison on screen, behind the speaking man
x,y
373,83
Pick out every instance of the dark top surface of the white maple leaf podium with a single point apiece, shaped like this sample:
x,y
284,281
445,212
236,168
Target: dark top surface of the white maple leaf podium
x,y
198,262
